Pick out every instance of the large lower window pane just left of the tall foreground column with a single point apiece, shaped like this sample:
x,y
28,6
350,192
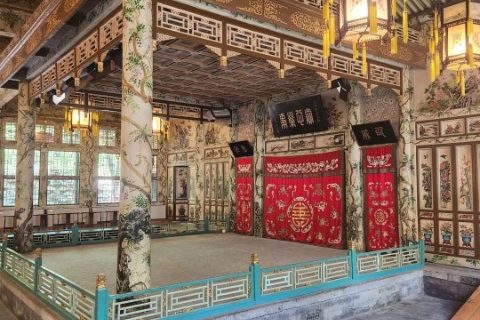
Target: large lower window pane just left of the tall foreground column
x,y
108,182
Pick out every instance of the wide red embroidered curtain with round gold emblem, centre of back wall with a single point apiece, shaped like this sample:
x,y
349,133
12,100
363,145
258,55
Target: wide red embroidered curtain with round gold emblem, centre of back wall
x,y
303,199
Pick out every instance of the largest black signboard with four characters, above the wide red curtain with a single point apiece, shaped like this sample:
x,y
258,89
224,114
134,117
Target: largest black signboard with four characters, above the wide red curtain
x,y
299,116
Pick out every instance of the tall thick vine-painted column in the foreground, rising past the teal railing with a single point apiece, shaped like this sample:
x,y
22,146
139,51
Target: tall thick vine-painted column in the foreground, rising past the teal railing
x,y
133,269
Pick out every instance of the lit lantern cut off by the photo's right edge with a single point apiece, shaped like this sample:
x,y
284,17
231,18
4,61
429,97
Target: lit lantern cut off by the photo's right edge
x,y
461,38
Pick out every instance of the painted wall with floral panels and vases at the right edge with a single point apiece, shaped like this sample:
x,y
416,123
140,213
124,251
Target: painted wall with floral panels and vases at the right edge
x,y
447,132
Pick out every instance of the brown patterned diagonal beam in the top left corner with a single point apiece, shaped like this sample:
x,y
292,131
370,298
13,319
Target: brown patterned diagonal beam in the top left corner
x,y
47,19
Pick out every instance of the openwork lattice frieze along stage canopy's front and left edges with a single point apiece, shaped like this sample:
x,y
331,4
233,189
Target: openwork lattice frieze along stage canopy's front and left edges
x,y
227,36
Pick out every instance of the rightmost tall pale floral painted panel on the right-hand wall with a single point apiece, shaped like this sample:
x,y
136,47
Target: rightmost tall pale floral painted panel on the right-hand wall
x,y
464,179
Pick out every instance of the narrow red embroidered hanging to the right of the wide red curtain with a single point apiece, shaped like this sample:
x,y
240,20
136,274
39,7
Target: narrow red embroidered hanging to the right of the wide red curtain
x,y
379,167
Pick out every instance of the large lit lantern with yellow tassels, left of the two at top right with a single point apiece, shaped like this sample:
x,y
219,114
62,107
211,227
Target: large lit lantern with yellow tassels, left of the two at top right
x,y
363,21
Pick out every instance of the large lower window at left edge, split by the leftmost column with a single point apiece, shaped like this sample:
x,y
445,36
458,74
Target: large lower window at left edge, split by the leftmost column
x,y
9,172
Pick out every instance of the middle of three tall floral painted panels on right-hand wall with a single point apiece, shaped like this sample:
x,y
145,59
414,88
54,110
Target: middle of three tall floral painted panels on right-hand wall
x,y
444,178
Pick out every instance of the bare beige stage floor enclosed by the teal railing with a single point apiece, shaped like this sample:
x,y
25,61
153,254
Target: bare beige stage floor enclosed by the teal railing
x,y
180,259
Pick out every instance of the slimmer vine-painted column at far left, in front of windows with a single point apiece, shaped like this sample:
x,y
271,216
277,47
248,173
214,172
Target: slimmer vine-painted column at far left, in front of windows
x,y
23,240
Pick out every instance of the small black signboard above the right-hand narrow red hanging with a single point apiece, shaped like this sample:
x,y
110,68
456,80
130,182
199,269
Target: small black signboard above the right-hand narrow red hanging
x,y
369,134
